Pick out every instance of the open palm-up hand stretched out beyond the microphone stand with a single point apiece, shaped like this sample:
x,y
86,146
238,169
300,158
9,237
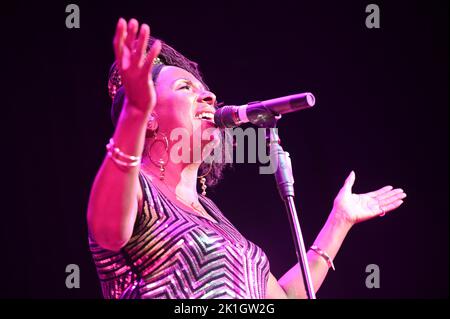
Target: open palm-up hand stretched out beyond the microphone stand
x,y
355,208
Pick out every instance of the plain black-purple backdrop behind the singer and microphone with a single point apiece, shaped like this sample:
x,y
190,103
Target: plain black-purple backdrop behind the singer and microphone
x,y
382,110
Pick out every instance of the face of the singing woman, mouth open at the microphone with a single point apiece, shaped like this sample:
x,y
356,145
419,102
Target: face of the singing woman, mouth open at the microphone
x,y
185,107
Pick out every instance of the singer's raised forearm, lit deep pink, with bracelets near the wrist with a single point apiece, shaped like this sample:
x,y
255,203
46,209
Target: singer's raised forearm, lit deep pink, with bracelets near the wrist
x,y
113,199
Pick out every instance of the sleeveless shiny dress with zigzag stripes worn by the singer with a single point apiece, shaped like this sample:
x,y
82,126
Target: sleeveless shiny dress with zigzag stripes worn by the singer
x,y
177,254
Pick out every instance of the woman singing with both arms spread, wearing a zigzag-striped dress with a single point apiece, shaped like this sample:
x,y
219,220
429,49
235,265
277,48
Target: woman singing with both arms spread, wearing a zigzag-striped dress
x,y
152,235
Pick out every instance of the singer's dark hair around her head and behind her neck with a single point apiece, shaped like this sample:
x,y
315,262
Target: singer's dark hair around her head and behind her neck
x,y
170,56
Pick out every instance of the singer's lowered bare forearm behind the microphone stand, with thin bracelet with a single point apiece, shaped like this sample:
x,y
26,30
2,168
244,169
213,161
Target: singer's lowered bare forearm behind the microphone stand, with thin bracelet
x,y
330,240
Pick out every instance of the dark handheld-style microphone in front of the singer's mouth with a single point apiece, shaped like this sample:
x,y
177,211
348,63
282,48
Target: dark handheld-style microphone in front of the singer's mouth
x,y
261,112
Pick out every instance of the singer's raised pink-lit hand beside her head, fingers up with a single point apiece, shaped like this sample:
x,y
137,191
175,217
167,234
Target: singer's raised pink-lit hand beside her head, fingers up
x,y
134,65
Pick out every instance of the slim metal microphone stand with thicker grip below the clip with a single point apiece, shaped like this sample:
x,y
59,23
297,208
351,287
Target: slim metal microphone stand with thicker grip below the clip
x,y
285,183
